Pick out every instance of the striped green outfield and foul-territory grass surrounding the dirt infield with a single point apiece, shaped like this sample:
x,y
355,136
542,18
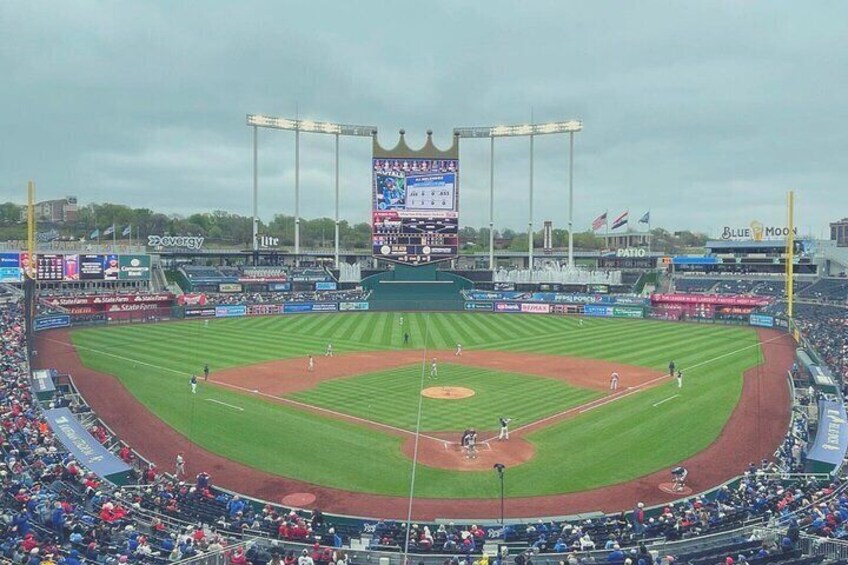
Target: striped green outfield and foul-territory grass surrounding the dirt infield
x,y
614,443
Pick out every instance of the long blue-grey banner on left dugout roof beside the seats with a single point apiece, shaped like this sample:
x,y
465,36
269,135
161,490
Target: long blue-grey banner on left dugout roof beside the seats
x,y
85,449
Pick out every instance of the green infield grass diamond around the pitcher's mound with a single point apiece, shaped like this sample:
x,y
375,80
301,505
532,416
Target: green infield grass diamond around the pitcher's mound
x,y
497,394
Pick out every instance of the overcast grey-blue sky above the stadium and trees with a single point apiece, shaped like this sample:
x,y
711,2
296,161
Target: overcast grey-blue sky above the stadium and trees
x,y
706,113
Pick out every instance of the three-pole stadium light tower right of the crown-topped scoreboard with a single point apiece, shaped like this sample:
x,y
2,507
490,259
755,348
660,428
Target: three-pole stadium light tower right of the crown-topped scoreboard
x,y
524,130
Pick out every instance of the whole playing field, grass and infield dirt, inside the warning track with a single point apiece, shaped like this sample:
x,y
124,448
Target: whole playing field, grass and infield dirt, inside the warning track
x,y
347,424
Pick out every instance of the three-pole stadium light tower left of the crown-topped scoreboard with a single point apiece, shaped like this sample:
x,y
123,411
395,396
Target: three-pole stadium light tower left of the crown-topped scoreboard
x,y
308,126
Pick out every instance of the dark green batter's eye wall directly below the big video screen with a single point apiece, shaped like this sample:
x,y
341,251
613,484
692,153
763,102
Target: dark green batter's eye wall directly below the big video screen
x,y
416,289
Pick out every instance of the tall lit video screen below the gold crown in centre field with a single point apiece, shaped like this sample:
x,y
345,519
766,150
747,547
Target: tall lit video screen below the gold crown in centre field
x,y
415,210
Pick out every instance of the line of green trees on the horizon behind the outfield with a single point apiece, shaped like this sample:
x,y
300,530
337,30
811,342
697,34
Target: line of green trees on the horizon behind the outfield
x,y
224,228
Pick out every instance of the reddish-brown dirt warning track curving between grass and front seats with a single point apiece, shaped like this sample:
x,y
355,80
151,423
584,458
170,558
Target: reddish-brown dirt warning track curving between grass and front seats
x,y
755,429
